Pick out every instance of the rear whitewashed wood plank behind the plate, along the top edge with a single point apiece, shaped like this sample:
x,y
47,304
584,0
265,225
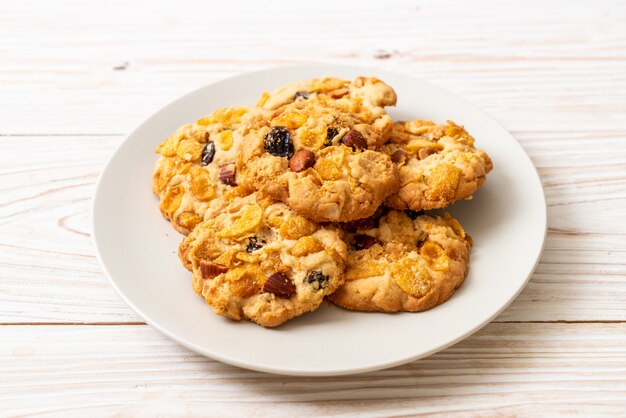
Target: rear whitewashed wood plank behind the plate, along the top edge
x,y
102,67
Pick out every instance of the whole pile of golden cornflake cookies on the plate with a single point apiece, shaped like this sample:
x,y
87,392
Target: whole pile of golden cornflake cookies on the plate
x,y
316,192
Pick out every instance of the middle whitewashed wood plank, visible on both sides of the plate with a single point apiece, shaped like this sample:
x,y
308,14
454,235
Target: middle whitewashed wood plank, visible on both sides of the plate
x,y
45,216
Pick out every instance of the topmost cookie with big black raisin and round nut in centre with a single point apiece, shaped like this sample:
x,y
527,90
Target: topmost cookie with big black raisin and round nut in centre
x,y
321,160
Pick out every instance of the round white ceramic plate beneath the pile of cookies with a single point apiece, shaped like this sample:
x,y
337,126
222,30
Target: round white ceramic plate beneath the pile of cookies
x,y
137,247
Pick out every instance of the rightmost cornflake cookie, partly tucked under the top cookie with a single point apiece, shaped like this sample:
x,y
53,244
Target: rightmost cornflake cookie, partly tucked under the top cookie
x,y
438,164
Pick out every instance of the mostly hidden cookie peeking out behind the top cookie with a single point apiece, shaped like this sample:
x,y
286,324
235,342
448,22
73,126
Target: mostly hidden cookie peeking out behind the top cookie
x,y
365,96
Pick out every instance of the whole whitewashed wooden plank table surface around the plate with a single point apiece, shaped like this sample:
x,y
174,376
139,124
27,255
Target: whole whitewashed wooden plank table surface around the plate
x,y
76,77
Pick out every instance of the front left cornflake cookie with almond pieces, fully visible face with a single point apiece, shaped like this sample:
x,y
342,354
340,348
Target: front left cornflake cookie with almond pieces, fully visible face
x,y
266,264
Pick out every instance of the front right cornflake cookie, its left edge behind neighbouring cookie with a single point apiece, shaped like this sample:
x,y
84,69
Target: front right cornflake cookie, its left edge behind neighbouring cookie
x,y
397,263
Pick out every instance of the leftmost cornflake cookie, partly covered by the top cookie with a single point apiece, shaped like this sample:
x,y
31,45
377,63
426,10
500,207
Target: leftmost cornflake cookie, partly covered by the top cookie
x,y
196,173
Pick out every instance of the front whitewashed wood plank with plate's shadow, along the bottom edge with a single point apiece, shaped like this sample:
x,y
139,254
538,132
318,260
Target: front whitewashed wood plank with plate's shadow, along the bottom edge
x,y
504,370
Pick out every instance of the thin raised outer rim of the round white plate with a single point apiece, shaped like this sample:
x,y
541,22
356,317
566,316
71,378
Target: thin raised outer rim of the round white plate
x,y
308,372
